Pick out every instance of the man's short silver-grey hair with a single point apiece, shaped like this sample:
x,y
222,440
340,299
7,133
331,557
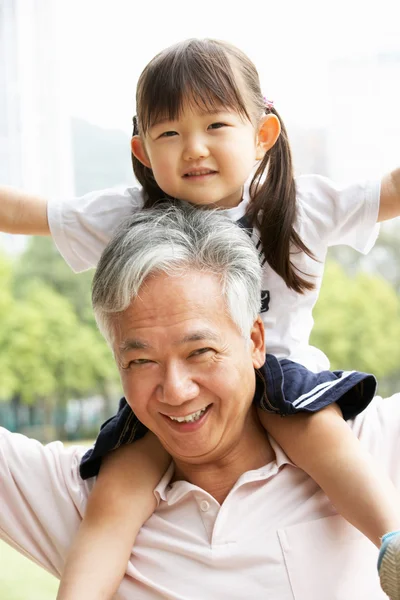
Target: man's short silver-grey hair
x,y
176,239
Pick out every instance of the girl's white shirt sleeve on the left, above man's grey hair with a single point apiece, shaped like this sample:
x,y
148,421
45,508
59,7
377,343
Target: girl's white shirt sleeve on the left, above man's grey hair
x,y
81,227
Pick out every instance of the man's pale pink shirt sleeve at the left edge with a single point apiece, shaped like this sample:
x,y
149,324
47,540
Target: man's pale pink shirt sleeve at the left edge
x,y
42,498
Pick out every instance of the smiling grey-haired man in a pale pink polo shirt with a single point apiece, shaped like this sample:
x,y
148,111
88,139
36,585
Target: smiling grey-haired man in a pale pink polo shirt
x,y
177,295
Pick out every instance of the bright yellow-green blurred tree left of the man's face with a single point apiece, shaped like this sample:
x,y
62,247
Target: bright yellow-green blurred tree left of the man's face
x,y
51,355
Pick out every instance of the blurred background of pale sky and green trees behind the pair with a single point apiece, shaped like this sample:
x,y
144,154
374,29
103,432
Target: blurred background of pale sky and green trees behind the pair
x,y
68,72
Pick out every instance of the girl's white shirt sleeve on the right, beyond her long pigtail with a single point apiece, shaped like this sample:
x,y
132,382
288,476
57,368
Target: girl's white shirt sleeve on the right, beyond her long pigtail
x,y
331,215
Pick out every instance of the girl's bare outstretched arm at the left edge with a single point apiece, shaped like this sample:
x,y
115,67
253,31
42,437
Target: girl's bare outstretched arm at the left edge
x,y
22,213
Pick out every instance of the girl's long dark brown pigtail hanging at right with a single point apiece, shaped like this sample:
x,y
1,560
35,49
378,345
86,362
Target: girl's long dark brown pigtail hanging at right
x,y
273,210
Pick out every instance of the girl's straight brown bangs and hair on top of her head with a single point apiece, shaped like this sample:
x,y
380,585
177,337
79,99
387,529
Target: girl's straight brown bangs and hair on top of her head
x,y
197,73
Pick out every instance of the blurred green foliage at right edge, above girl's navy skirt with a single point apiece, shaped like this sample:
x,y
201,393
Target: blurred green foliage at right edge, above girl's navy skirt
x,y
357,322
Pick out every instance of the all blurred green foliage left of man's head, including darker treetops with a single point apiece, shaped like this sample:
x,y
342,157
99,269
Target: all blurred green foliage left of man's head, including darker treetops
x,y
49,347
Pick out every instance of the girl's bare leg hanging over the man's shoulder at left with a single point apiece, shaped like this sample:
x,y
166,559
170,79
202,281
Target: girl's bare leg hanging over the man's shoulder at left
x,y
121,501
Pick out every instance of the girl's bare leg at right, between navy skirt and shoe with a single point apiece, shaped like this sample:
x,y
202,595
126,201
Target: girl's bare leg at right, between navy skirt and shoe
x,y
323,445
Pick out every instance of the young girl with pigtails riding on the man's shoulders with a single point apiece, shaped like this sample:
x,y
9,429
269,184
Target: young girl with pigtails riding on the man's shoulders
x,y
202,128
